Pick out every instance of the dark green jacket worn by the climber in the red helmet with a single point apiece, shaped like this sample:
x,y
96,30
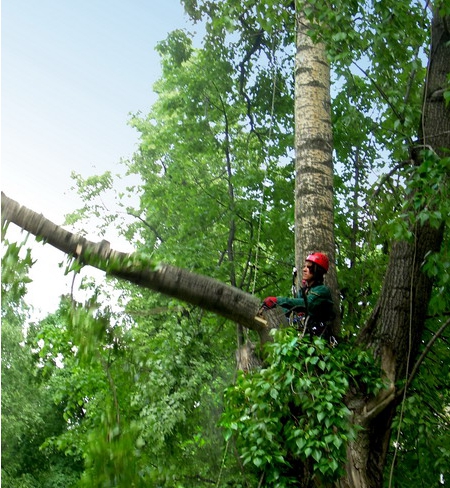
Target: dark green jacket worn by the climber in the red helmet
x,y
319,303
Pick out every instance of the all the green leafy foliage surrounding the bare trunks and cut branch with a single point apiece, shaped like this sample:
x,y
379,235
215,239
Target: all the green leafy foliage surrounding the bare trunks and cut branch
x,y
134,398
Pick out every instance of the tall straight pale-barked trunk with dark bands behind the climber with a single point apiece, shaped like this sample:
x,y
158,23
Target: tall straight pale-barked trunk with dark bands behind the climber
x,y
314,209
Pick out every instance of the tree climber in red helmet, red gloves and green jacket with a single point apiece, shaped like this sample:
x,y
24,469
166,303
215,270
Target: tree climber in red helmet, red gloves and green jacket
x,y
312,308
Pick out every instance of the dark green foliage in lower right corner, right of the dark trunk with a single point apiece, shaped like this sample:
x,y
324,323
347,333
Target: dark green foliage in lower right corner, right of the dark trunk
x,y
419,454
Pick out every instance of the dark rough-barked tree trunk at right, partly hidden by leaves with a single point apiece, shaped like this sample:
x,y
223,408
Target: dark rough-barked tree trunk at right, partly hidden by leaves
x,y
395,328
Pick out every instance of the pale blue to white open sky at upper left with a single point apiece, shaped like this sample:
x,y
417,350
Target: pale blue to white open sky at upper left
x,y
72,72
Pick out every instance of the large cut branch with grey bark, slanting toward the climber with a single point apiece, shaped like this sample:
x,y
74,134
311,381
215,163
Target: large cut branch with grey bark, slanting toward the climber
x,y
208,293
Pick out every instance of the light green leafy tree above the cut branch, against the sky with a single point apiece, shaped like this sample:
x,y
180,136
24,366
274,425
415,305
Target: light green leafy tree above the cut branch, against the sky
x,y
203,169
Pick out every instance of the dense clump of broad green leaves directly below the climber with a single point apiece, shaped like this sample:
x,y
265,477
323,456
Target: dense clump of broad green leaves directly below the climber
x,y
293,411
